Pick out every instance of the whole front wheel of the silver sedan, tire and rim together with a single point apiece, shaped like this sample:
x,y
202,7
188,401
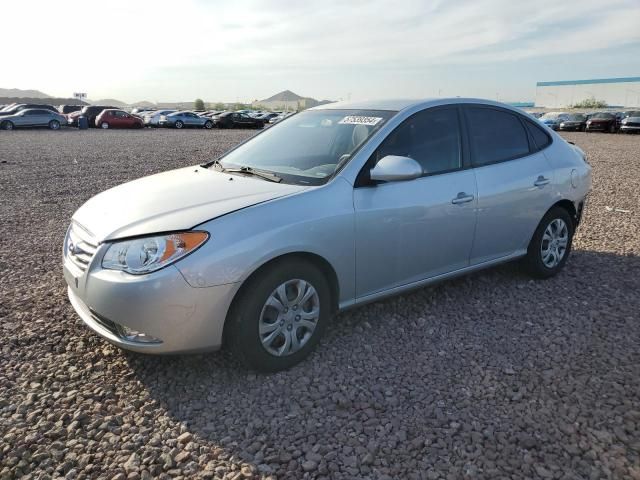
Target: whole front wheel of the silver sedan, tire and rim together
x,y
279,316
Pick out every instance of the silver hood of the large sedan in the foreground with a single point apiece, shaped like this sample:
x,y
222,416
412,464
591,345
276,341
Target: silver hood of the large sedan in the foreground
x,y
173,200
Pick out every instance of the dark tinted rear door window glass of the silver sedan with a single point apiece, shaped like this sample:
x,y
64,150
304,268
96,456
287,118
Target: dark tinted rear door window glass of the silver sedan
x,y
495,135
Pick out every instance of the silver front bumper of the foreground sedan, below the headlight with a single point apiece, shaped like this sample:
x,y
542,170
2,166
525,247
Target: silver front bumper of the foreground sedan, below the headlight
x,y
161,304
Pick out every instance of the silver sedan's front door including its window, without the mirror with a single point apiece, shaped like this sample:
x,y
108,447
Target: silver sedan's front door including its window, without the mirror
x,y
407,231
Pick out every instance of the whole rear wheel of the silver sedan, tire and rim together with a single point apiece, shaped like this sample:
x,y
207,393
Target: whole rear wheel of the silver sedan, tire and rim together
x,y
551,244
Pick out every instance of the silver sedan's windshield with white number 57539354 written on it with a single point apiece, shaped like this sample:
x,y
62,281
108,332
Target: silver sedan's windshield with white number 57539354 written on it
x,y
308,147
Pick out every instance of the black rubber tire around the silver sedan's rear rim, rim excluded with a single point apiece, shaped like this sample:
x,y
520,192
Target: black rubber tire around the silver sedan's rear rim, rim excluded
x,y
533,262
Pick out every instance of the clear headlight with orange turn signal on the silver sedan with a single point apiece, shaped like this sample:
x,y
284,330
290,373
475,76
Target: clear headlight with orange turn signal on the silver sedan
x,y
148,254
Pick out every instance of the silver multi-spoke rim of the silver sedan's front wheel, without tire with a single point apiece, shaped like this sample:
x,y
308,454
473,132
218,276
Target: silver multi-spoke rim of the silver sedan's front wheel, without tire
x,y
289,317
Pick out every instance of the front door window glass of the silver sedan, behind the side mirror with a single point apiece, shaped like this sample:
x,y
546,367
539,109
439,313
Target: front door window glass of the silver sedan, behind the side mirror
x,y
431,137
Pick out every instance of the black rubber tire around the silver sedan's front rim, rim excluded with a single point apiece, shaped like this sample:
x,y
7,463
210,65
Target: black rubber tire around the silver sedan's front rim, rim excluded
x,y
242,336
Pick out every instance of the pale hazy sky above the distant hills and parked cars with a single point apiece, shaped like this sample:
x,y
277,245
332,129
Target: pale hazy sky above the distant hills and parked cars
x,y
243,50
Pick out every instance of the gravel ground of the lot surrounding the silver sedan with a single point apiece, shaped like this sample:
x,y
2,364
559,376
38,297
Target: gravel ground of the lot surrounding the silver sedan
x,y
490,376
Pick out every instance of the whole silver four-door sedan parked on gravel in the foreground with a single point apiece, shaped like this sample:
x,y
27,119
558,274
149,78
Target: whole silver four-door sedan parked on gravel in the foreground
x,y
333,207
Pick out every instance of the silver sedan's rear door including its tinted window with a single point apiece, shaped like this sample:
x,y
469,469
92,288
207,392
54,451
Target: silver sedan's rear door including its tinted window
x,y
514,180
